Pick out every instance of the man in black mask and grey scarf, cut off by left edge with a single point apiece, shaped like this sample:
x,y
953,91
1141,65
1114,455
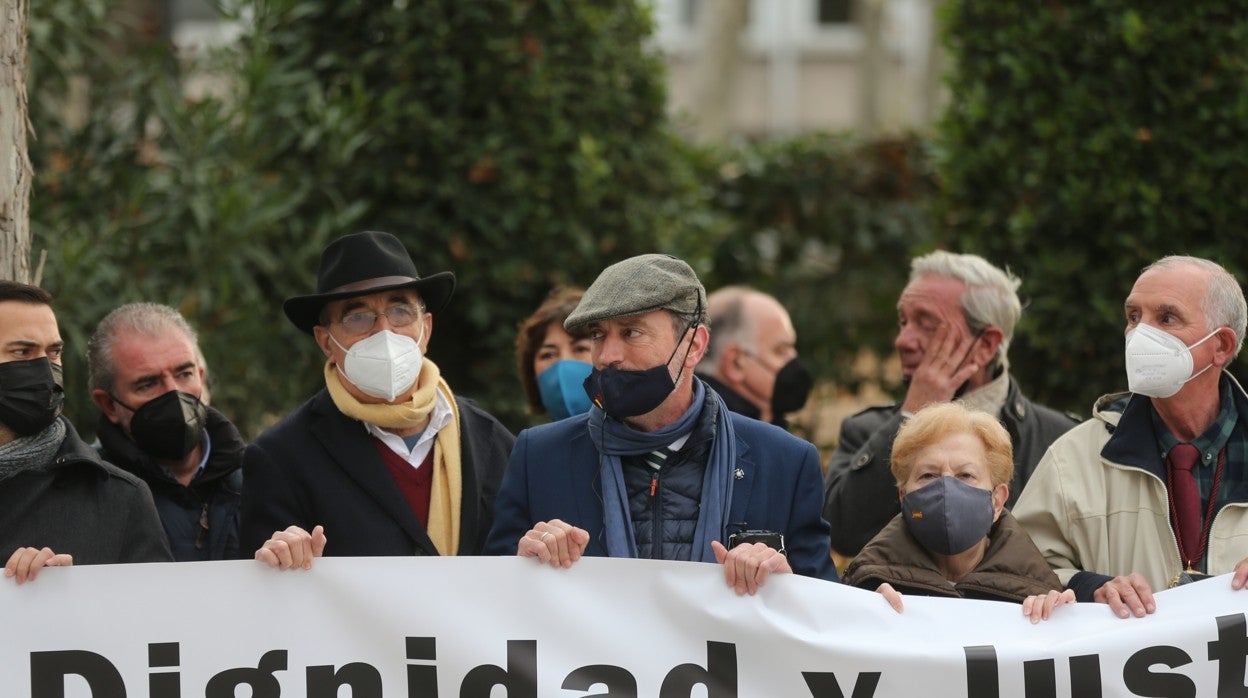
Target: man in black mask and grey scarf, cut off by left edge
x,y
59,503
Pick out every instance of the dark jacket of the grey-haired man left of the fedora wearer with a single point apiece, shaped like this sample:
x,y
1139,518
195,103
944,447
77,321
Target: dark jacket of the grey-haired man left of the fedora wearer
x,y
202,519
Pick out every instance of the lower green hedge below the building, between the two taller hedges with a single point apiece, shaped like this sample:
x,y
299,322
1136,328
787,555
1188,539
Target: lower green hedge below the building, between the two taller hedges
x,y
828,225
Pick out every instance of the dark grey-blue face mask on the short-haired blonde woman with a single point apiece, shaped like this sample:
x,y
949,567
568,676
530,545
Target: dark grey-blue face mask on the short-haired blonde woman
x,y
948,516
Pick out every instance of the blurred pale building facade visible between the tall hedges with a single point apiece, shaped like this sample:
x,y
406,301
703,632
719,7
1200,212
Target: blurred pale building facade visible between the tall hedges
x,y
753,68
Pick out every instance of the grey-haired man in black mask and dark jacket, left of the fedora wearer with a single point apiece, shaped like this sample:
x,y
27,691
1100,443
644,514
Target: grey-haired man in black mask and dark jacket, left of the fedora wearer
x,y
149,381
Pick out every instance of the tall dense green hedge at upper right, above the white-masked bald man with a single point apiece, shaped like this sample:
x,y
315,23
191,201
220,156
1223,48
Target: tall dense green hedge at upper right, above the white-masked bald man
x,y
1084,142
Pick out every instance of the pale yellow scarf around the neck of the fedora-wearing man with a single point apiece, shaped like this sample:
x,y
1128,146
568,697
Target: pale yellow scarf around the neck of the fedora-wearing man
x,y
447,491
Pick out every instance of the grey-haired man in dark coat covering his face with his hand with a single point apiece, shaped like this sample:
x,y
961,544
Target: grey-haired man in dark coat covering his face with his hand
x,y
957,318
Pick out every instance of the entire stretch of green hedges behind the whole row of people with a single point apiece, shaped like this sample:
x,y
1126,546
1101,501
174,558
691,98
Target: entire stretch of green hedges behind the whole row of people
x,y
526,145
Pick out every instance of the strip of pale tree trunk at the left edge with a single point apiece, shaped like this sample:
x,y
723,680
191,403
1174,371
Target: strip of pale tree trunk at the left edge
x,y
16,170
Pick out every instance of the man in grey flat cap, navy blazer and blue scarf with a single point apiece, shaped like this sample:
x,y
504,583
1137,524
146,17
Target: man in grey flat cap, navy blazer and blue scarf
x,y
660,468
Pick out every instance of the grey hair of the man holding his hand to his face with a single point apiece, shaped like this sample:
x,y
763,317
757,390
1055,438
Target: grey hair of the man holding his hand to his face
x,y
992,295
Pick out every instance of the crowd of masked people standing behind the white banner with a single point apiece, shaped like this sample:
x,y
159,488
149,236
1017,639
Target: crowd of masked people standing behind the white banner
x,y
666,440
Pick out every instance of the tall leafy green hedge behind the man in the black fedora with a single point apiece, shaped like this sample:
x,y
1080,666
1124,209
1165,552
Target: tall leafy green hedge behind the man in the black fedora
x,y
519,144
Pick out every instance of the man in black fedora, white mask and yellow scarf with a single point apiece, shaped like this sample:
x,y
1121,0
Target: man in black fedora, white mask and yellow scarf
x,y
385,460
